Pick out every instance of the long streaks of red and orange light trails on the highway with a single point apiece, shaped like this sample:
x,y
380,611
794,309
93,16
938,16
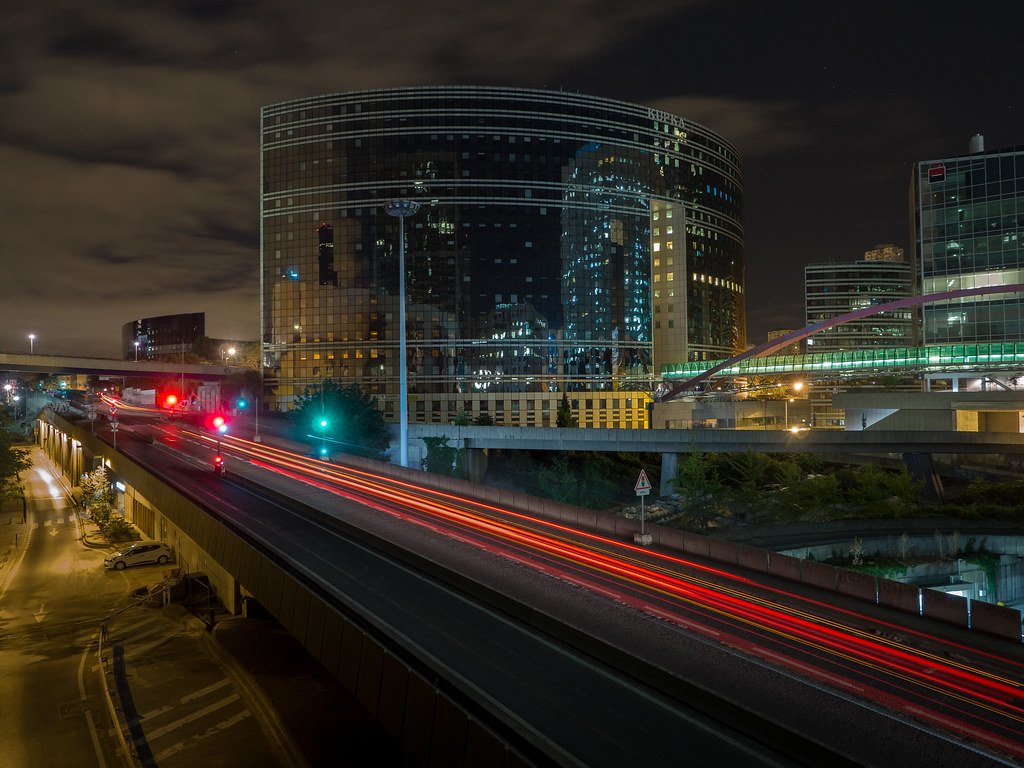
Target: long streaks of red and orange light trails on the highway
x,y
983,706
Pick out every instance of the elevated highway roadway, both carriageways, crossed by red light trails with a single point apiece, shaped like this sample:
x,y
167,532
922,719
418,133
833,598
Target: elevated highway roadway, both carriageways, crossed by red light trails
x,y
835,675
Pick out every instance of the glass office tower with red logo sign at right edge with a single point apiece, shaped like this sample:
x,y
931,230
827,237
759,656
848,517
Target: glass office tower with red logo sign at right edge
x,y
968,214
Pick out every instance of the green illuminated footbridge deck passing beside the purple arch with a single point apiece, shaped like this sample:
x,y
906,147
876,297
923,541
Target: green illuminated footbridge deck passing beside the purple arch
x,y
949,359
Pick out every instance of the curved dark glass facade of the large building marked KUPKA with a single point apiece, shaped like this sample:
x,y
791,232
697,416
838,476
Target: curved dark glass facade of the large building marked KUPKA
x,y
565,243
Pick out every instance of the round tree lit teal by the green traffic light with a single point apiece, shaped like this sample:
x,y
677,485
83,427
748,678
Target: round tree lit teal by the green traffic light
x,y
355,425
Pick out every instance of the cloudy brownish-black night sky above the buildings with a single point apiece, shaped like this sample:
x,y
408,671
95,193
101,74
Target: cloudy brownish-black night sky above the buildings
x,y
130,152
